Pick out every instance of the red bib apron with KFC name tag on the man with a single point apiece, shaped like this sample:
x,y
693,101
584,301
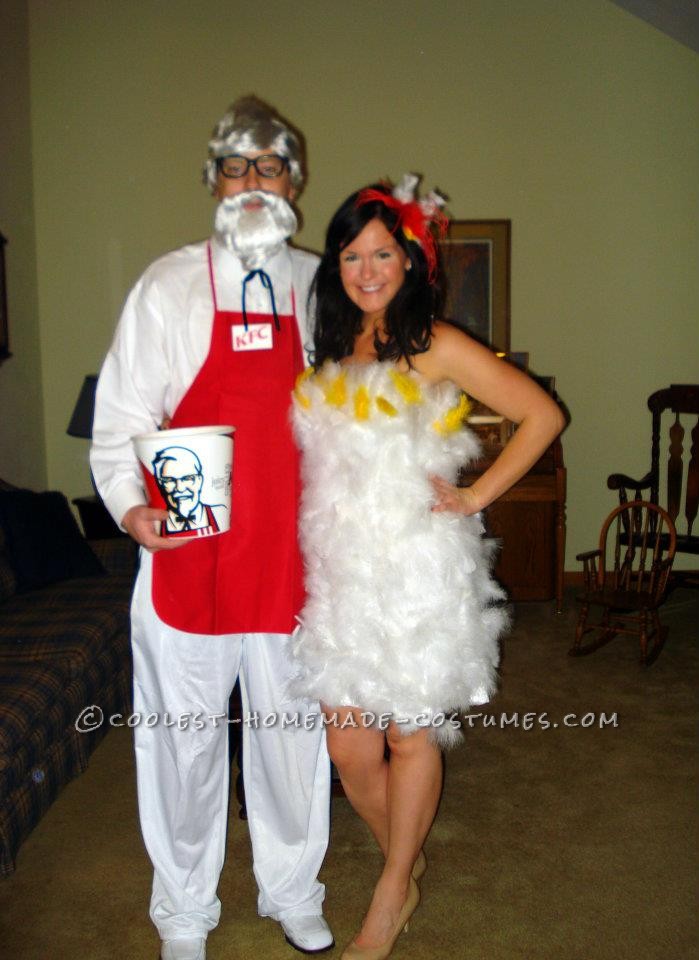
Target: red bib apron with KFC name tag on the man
x,y
250,579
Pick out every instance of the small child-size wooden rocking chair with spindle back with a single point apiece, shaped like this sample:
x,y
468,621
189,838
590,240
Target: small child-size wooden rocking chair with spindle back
x,y
641,548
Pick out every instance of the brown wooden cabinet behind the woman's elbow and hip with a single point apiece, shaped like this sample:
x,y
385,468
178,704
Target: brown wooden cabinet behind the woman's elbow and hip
x,y
529,520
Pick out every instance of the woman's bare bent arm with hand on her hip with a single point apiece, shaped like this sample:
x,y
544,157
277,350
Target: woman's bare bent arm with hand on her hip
x,y
455,356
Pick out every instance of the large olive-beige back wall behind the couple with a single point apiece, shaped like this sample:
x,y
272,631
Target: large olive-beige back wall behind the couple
x,y
574,119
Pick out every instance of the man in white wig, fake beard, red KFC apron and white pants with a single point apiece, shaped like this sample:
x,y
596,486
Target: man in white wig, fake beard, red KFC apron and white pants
x,y
213,334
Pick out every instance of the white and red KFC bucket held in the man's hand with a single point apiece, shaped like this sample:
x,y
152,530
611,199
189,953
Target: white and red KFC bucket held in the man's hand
x,y
188,473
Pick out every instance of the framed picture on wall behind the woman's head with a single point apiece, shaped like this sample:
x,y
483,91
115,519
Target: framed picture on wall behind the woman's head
x,y
476,263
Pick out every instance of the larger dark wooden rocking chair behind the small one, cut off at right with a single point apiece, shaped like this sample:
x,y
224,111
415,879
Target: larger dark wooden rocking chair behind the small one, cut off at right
x,y
677,489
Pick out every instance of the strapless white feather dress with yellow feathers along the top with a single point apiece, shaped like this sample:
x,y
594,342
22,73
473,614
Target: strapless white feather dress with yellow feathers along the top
x,y
402,617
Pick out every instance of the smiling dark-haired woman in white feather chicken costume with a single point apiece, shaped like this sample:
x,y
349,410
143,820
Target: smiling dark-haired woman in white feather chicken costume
x,y
402,619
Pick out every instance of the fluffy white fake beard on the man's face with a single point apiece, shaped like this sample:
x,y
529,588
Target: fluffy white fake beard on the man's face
x,y
254,235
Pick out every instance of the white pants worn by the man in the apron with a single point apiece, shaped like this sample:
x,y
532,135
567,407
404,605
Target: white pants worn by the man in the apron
x,y
183,774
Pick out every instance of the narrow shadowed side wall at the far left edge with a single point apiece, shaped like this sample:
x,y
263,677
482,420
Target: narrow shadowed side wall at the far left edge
x,y
22,448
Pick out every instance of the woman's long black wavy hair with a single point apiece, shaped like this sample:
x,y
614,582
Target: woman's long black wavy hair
x,y
338,321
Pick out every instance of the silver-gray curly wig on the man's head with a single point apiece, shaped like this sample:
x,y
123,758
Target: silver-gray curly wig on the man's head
x,y
250,124
